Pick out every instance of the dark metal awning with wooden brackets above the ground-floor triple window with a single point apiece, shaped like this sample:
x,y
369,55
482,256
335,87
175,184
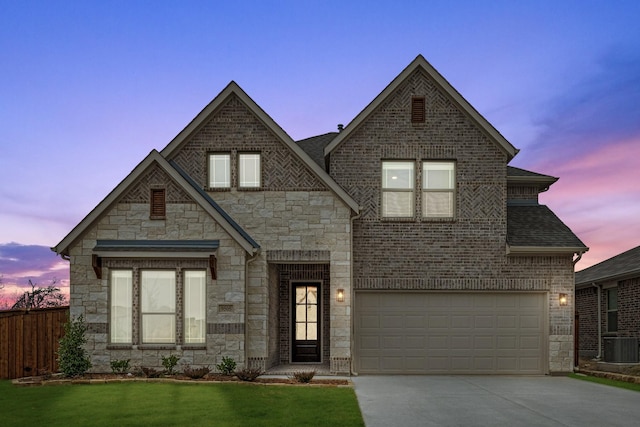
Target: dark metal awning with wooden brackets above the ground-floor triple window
x,y
155,249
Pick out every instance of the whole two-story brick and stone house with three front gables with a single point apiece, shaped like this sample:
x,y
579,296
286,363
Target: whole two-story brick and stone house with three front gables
x,y
401,244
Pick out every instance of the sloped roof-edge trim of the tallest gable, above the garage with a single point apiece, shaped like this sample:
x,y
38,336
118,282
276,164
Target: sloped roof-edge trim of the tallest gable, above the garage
x,y
421,63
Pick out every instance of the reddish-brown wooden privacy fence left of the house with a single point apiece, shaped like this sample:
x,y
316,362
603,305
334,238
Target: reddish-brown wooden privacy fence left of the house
x,y
29,341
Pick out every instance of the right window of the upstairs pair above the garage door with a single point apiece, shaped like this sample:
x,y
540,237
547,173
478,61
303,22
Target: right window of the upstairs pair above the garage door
x,y
438,189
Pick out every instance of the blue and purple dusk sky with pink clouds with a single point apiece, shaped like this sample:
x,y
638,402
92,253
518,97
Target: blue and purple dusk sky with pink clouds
x,y
88,89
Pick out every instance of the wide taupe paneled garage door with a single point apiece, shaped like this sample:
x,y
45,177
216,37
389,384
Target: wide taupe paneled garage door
x,y
450,333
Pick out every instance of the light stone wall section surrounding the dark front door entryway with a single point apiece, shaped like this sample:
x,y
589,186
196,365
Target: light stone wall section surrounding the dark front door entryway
x,y
303,223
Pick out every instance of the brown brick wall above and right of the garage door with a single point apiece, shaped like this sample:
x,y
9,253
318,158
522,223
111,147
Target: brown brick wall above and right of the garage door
x,y
464,253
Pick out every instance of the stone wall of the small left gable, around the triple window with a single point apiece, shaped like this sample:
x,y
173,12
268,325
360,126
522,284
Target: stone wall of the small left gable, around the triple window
x,y
90,296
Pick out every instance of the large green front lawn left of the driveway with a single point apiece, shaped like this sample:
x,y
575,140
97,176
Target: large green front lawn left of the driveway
x,y
168,404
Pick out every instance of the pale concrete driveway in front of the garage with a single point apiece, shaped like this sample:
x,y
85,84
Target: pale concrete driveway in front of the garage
x,y
396,400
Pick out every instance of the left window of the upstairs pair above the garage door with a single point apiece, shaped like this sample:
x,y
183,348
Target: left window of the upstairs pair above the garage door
x,y
397,189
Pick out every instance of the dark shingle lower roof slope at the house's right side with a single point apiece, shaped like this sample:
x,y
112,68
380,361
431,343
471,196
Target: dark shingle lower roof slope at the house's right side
x,y
537,226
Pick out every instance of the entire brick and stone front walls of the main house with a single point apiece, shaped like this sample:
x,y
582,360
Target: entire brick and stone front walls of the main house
x,y
307,229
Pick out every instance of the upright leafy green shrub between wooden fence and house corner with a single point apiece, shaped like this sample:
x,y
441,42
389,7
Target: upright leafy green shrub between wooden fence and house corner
x,y
73,359
